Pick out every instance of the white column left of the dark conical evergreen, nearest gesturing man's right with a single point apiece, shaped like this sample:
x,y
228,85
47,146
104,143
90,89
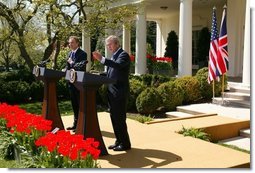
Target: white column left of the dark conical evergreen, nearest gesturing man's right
x,y
140,55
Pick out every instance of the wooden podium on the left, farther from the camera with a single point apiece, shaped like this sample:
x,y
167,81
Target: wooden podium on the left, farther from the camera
x,y
50,110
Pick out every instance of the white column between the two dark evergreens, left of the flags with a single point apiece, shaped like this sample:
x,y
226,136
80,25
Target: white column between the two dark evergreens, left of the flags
x,y
185,38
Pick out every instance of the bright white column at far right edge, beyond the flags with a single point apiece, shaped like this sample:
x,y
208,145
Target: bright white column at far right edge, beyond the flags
x,y
246,54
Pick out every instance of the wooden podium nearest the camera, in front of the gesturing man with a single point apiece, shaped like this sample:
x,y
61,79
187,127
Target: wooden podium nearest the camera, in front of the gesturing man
x,y
88,84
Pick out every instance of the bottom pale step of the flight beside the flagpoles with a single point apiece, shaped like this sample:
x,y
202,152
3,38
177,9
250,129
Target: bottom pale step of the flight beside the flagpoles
x,y
232,102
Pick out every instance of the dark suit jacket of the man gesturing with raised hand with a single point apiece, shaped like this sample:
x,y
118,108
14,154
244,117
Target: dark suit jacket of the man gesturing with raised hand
x,y
118,69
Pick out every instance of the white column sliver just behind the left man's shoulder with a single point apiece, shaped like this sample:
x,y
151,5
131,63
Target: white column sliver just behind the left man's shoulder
x,y
87,48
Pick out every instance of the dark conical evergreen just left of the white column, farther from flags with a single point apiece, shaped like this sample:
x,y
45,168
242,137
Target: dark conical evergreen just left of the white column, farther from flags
x,y
172,48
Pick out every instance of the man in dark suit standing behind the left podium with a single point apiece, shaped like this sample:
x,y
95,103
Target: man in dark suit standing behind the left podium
x,y
76,60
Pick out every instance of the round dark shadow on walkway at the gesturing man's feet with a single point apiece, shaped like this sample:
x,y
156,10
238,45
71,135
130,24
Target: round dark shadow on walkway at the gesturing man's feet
x,y
140,158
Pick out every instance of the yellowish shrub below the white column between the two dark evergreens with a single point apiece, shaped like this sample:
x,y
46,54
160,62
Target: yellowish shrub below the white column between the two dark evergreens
x,y
190,87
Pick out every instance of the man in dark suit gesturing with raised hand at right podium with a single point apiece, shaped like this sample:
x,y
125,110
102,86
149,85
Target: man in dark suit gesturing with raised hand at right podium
x,y
118,69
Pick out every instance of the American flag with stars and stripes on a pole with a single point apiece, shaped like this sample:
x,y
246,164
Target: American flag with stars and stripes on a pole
x,y
213,52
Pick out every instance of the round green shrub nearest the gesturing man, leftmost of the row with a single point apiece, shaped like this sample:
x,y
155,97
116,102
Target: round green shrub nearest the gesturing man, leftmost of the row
x,y
148,101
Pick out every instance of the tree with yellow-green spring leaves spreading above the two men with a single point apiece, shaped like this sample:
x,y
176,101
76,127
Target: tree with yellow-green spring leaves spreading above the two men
x,y
62,18
